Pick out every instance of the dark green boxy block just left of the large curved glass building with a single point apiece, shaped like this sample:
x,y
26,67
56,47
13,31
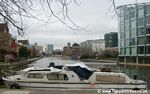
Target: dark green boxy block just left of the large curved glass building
x,y
111,40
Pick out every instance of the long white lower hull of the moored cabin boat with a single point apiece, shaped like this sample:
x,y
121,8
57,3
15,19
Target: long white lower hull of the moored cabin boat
x,y
78,85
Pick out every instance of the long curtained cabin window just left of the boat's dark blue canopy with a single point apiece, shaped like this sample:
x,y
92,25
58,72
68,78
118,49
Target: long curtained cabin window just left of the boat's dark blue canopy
x,y
57,77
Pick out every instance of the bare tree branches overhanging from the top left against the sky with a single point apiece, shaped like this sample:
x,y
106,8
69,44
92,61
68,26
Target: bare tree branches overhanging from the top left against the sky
x,y
13,12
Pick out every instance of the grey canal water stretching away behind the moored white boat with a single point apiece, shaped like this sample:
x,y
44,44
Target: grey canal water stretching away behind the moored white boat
x,y
142,73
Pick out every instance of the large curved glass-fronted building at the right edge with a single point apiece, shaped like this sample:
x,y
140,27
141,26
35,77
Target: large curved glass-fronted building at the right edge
x,y
134,33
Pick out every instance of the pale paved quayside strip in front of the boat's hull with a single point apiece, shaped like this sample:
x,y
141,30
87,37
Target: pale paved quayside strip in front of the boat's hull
x,y
57,91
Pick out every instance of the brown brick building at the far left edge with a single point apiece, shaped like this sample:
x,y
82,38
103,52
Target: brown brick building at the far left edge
x,y
5,37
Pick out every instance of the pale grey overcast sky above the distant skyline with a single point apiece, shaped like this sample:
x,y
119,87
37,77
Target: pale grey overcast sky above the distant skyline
x,y
96,15
